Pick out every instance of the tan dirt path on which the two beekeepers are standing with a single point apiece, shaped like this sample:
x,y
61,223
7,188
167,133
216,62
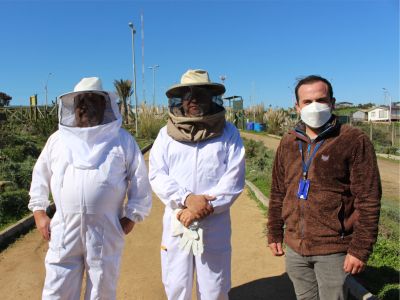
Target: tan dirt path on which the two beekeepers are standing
x,y
256,274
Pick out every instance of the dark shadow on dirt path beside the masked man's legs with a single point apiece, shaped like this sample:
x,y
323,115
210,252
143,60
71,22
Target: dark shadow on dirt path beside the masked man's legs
x,y
278,287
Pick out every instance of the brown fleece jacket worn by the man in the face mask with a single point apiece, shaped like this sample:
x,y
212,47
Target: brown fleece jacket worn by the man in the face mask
x,y
341,213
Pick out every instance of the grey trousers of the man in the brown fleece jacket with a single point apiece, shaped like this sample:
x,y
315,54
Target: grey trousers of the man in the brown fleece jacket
x,y
319,277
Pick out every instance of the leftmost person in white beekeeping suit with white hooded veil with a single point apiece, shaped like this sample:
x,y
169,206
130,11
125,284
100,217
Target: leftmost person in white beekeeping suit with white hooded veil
x,y
90,164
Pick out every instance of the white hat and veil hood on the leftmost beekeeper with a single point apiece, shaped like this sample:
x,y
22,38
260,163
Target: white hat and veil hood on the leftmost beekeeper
x,y
85,145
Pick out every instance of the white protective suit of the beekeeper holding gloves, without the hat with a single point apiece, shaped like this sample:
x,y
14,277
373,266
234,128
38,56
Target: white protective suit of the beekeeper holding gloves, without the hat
x,y
213,167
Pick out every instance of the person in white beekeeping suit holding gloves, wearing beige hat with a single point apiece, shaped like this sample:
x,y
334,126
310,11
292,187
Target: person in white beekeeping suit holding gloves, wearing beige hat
x,y
197,170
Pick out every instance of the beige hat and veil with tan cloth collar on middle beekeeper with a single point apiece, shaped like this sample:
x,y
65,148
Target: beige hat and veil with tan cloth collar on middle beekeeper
x,y
209,122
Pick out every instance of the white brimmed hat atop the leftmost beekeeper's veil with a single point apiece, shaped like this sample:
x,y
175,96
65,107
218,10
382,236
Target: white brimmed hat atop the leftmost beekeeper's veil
x,y
87,85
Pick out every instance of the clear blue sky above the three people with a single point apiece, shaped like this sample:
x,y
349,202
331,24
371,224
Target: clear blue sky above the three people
x,y
269,43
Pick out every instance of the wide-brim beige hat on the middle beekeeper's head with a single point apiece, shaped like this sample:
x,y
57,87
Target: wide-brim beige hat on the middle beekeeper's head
x,y
194,78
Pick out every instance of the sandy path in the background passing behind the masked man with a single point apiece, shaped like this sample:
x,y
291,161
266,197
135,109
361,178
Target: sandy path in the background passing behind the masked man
x,y
389,171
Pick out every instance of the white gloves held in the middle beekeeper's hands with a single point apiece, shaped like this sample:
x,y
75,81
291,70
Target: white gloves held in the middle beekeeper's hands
x,y
193,238
